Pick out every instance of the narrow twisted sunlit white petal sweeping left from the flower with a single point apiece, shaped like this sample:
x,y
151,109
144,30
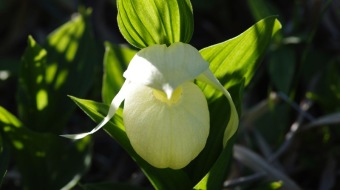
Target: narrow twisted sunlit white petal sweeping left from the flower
x,y
117,100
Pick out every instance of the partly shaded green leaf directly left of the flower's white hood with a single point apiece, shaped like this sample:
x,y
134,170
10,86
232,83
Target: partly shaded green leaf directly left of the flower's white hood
x,y
116,59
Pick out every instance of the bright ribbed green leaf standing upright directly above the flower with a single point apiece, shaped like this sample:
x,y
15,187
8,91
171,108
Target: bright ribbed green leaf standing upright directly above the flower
x,y
148,22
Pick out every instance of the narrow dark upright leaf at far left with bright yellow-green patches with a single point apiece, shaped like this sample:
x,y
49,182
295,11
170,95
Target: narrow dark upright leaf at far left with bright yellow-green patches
x,y
33,93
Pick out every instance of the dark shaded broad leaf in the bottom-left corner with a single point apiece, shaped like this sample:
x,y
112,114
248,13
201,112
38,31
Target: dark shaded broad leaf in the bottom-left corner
x,y
45,161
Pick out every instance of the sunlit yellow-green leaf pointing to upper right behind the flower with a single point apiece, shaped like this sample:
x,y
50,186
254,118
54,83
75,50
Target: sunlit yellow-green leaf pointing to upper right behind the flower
x,y
238,58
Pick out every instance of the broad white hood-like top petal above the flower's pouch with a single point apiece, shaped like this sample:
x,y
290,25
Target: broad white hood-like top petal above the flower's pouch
x,y
165,68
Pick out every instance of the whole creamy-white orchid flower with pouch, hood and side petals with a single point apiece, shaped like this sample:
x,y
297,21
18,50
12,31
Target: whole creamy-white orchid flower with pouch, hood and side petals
x,y
166,115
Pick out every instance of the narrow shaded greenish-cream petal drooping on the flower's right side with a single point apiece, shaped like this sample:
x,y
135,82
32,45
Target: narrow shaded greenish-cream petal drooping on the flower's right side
x,y
232,126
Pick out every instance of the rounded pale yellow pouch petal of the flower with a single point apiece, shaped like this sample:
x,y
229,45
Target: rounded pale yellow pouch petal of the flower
x,y
167,133
